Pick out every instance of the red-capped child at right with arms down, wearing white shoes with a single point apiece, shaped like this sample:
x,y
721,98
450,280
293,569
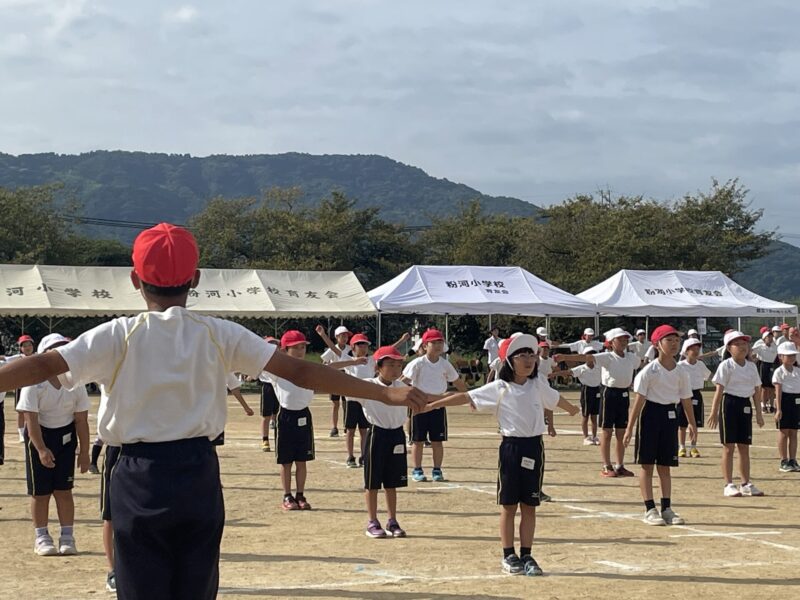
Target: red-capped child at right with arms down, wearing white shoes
x,y
662,388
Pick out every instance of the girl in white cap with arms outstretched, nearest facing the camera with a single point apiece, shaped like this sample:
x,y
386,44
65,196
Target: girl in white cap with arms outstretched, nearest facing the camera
x,y
518,398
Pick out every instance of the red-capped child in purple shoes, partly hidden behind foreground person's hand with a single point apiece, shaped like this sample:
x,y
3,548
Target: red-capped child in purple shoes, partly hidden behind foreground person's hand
x,y
385,448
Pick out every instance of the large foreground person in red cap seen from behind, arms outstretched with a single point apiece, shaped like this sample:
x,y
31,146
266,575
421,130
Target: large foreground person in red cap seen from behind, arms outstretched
x,y
162,376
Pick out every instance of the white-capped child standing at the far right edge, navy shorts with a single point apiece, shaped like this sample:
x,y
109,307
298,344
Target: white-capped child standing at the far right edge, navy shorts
x,y
787,406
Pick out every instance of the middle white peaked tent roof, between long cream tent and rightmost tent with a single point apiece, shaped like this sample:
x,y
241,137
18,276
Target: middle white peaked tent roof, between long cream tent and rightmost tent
x,y
467,290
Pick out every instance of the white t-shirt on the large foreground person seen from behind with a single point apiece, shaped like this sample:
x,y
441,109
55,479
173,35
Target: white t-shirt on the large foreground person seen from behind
x,y
163,374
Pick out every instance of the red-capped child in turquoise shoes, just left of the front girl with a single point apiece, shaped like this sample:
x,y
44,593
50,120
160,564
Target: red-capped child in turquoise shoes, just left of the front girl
x,y
431,373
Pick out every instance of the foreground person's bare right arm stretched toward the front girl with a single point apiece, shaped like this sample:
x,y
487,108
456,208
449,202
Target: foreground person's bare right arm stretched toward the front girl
x,y
320,378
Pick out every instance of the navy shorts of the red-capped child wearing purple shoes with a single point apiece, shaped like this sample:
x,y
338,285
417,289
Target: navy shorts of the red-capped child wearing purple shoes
x,y
385,458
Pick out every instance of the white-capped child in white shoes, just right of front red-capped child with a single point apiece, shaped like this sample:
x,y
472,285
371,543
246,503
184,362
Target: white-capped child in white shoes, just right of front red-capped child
x,y
737,381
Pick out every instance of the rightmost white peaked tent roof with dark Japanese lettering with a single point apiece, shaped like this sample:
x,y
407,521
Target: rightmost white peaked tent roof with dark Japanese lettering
x,y
679,294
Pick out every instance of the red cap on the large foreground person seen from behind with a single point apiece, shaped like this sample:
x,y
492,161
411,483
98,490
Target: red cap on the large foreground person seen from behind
x,y
165,255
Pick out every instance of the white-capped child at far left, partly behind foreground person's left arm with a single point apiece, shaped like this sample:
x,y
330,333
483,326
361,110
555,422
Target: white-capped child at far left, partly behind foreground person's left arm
x,y
56,425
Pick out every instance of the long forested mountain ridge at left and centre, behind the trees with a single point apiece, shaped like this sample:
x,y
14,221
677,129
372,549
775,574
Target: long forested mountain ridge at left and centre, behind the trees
x,y
145,187
